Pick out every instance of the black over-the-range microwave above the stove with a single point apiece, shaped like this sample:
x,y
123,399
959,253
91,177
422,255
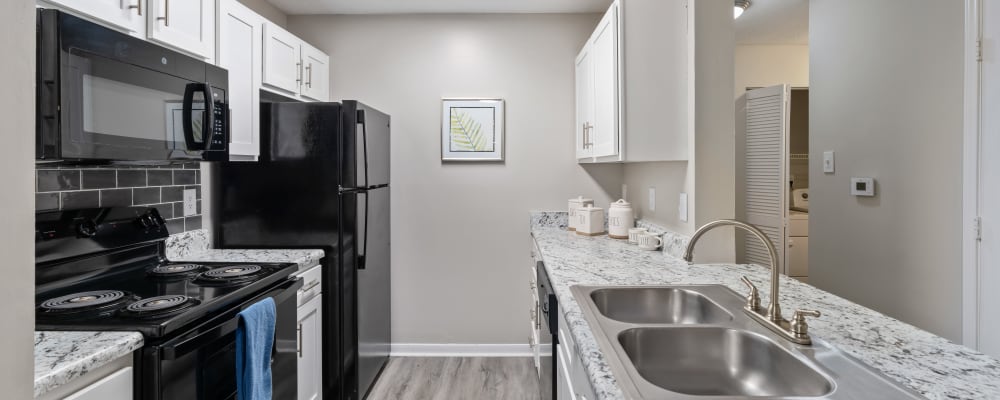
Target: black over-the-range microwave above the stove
x,y
105,96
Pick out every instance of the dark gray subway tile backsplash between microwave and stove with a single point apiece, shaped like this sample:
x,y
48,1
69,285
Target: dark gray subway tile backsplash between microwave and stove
x,y
162,187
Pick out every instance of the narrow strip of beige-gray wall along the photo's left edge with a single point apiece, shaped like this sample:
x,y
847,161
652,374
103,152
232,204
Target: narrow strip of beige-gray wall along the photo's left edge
x,y
17,110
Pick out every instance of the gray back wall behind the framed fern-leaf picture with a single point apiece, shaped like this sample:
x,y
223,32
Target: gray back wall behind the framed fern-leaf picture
x,y
460,231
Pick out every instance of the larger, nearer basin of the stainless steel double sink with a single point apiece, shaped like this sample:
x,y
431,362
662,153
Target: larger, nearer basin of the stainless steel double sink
x,y
716,361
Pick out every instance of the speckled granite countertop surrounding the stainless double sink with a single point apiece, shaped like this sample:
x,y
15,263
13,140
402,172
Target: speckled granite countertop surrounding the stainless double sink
x,y
924,362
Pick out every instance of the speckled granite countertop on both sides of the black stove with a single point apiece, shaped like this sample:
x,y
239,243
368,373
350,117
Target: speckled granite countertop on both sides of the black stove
x,y
62,356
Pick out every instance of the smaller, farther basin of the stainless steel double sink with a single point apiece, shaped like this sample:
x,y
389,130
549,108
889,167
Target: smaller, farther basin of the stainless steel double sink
x,y
658,305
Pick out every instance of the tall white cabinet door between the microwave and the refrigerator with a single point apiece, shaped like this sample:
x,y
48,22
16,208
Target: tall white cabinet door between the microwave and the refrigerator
x,y
240,42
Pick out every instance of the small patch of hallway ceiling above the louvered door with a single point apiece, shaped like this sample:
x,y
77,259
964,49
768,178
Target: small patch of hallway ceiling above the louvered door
x,y
774,22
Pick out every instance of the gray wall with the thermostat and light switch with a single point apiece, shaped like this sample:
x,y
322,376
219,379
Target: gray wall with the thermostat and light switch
x,y
886,95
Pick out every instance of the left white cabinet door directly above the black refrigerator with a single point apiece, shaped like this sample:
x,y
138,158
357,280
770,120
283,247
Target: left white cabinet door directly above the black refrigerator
x,y
282,60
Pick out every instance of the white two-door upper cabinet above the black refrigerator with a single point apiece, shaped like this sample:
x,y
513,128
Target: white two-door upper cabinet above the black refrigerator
x,y
294,68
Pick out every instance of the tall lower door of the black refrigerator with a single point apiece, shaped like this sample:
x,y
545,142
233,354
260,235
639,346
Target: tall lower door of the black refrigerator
x,y
374,288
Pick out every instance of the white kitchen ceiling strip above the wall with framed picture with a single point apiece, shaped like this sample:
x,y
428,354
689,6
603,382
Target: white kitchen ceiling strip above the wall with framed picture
x,y
438,6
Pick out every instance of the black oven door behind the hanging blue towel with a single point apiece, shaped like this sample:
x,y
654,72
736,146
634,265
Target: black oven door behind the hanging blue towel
x,y
201,364
